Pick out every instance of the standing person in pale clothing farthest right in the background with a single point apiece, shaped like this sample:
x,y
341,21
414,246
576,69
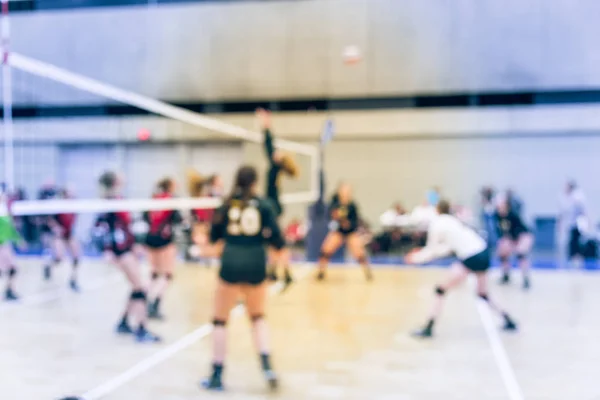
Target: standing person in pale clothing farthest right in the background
x,y
573,223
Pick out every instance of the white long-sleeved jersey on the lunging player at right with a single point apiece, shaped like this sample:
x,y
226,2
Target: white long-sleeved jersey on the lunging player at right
x,y
447,235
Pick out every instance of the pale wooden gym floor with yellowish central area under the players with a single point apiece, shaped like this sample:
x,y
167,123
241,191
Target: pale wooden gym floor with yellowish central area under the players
x,y
341,339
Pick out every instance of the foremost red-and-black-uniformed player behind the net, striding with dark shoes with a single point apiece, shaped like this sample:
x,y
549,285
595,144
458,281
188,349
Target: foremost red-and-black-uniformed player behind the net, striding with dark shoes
x,y
118,246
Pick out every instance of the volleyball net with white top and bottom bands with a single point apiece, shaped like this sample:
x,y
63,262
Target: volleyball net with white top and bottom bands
x,y
45,146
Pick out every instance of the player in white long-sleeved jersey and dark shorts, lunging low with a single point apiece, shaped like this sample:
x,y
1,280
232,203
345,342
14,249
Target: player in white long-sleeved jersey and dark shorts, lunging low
x,y
448,235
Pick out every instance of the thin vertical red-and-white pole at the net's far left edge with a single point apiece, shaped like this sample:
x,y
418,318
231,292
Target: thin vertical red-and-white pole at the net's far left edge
x,y
7,123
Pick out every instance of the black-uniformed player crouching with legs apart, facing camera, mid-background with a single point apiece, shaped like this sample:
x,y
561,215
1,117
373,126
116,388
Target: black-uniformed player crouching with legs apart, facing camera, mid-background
x,y
343,227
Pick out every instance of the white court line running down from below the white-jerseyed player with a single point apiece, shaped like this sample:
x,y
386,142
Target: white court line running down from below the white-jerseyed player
x,y
507,372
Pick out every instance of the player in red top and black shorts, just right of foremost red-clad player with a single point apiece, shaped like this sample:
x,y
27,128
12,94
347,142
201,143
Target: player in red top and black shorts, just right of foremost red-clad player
x,y
162,252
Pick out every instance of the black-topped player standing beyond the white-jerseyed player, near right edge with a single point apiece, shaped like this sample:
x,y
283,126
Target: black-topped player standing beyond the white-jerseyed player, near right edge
x,y
515,237
